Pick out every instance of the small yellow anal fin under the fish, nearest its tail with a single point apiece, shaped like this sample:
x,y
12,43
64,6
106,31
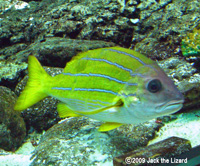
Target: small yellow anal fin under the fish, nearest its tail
x,y
65,111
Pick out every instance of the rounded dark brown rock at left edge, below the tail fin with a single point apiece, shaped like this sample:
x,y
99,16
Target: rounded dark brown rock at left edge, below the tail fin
x,y
12,126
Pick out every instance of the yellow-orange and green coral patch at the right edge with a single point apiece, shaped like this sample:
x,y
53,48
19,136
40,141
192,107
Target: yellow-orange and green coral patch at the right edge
x,y
190,45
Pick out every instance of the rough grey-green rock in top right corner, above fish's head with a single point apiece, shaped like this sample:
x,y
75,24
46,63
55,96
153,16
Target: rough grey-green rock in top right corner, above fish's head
x,y
162,25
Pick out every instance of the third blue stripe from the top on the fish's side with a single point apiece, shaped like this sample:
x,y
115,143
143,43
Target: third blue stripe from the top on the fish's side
x,y
100,75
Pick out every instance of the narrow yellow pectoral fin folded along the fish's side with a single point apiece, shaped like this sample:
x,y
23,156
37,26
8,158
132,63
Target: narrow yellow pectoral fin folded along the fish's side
x,y
119,103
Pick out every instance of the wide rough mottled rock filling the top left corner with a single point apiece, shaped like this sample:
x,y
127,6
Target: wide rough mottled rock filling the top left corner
x,y
70,19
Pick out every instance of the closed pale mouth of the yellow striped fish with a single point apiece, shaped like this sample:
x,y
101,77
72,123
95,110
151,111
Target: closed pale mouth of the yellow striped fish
x,y
170,107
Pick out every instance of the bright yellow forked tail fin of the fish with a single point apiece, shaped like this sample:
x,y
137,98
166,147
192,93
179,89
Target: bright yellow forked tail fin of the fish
x,y
34,90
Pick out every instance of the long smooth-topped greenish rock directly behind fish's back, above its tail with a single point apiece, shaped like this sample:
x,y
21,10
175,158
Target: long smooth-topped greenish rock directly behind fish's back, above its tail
x,y
56,51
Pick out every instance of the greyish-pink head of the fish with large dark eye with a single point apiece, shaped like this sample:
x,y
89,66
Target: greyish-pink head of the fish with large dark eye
x,y
154,95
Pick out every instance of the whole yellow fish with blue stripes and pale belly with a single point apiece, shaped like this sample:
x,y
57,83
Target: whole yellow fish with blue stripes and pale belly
x,y
113,84
